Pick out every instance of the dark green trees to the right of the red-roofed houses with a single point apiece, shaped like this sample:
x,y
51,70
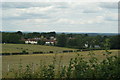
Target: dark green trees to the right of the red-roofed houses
x,y
79,41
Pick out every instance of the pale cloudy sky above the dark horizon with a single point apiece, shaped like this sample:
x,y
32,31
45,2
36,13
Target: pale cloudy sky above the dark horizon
x,y
60,16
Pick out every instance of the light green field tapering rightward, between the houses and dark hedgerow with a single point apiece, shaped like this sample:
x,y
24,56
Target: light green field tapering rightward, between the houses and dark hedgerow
x,y
15,48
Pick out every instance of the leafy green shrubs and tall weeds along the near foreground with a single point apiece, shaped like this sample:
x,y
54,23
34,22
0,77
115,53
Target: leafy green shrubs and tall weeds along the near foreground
x,y
78,67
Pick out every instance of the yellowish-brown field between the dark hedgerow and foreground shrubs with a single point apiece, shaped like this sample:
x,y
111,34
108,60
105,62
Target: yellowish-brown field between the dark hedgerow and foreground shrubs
x,y
9,62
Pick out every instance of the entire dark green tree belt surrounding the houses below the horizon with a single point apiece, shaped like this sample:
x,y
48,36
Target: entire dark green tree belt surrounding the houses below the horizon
x,y
79,41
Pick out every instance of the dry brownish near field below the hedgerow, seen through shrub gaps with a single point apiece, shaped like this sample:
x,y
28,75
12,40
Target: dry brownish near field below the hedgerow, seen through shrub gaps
x,y
35,61
